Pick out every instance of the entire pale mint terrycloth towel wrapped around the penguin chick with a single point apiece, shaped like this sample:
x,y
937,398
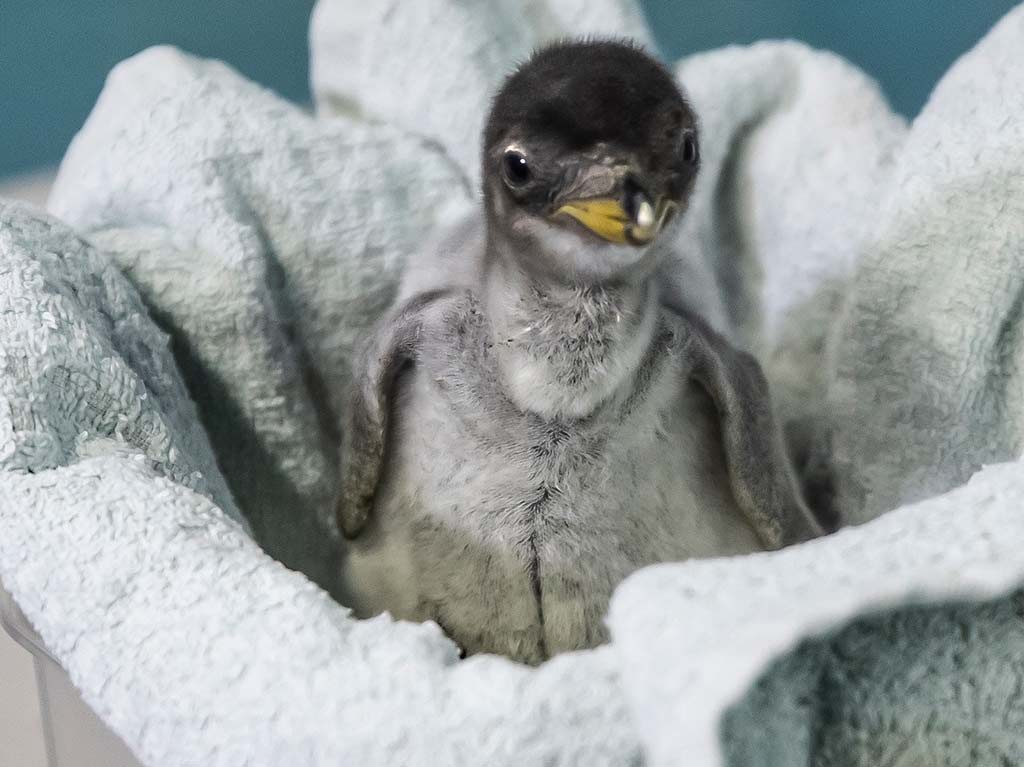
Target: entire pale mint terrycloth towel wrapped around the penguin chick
x,y
871,266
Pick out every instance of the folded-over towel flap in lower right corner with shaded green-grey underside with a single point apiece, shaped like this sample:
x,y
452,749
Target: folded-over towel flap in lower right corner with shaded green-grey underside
x,y
907,686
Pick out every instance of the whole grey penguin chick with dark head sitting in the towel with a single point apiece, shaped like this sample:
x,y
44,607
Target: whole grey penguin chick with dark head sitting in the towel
x,y
538,428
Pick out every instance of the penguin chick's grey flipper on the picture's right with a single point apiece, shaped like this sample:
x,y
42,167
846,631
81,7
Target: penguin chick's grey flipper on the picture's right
x,y
762,478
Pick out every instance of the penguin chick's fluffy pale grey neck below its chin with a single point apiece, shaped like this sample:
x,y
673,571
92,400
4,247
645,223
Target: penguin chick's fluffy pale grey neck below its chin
x,y
565,350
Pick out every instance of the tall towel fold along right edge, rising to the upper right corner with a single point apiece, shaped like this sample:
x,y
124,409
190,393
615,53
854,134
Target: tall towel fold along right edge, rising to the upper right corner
x,y
929,364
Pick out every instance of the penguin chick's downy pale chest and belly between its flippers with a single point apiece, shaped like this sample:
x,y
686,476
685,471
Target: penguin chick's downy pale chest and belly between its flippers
x,y
513,532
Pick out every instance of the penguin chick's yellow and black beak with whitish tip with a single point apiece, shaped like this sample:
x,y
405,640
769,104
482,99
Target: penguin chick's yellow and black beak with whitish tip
x,y
628,218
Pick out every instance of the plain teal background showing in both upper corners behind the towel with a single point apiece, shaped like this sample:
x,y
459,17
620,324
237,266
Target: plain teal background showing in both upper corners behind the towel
x,y
56,54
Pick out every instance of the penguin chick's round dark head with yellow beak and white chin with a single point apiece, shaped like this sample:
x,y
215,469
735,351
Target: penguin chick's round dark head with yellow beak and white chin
x,y
589,152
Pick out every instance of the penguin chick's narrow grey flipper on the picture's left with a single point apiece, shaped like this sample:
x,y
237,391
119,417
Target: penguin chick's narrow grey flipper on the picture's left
x,y
391,349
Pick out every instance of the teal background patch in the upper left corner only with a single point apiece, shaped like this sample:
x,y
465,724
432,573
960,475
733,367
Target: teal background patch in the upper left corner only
x,y
55,56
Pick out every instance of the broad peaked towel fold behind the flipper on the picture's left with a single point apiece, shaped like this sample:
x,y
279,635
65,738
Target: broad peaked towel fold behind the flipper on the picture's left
x,y
267,243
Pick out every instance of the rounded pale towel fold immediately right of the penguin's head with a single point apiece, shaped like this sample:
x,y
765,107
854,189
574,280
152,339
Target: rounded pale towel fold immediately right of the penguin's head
x,y
797,146
